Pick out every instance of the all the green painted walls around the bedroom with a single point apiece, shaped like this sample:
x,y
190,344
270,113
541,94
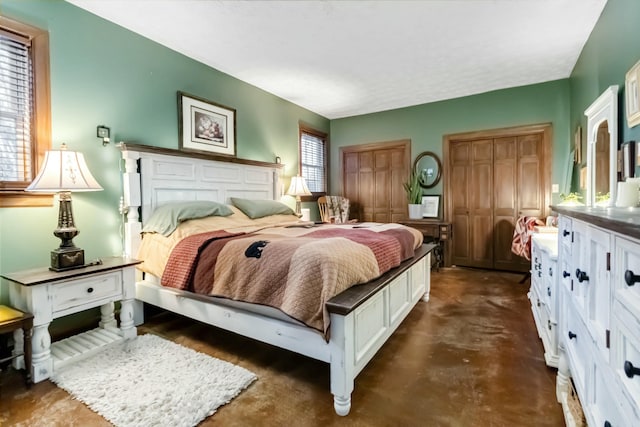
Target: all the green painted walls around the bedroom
x,y
104,74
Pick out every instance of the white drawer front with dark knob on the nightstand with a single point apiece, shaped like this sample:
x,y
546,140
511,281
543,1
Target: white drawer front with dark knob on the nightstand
x,y
84,292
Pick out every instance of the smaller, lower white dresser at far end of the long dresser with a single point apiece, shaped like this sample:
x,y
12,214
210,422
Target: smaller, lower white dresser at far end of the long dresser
x,y
543,292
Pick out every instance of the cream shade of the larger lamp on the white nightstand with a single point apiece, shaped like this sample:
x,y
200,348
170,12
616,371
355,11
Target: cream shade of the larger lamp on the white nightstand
x,y
64,170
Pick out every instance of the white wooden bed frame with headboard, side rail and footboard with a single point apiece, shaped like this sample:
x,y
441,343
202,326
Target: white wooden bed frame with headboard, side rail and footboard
x,y
359,319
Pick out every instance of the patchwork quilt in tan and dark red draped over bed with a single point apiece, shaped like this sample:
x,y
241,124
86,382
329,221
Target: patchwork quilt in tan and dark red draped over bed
x,y
292,269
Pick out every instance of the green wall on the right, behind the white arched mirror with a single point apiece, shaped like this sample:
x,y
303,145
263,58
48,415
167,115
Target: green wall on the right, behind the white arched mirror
x,y
612,49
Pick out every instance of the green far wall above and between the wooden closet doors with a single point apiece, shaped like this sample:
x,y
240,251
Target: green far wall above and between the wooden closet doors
x,y
427,124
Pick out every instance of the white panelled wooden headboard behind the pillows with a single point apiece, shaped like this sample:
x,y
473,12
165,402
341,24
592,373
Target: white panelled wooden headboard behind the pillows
x,y
153,176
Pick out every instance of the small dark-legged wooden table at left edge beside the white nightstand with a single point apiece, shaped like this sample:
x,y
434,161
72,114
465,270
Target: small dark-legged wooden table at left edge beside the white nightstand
x,y
21,324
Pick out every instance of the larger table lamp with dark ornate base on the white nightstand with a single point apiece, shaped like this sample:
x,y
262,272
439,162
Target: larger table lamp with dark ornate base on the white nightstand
x,y
63,172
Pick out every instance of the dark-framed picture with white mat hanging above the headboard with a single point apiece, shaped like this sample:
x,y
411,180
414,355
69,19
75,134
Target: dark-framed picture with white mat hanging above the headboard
x,y
206,126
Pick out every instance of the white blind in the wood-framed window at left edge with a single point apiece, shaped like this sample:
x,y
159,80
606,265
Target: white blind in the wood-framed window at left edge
x,y
16,108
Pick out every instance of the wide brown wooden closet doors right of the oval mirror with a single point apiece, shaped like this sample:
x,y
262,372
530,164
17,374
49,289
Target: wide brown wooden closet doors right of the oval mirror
x,y
492,178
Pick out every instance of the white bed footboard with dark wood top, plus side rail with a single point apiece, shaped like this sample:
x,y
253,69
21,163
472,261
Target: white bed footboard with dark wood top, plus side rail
x,y
362,319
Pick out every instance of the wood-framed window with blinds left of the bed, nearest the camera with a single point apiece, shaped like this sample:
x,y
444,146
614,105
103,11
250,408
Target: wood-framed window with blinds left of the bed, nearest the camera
x,y
25,117
